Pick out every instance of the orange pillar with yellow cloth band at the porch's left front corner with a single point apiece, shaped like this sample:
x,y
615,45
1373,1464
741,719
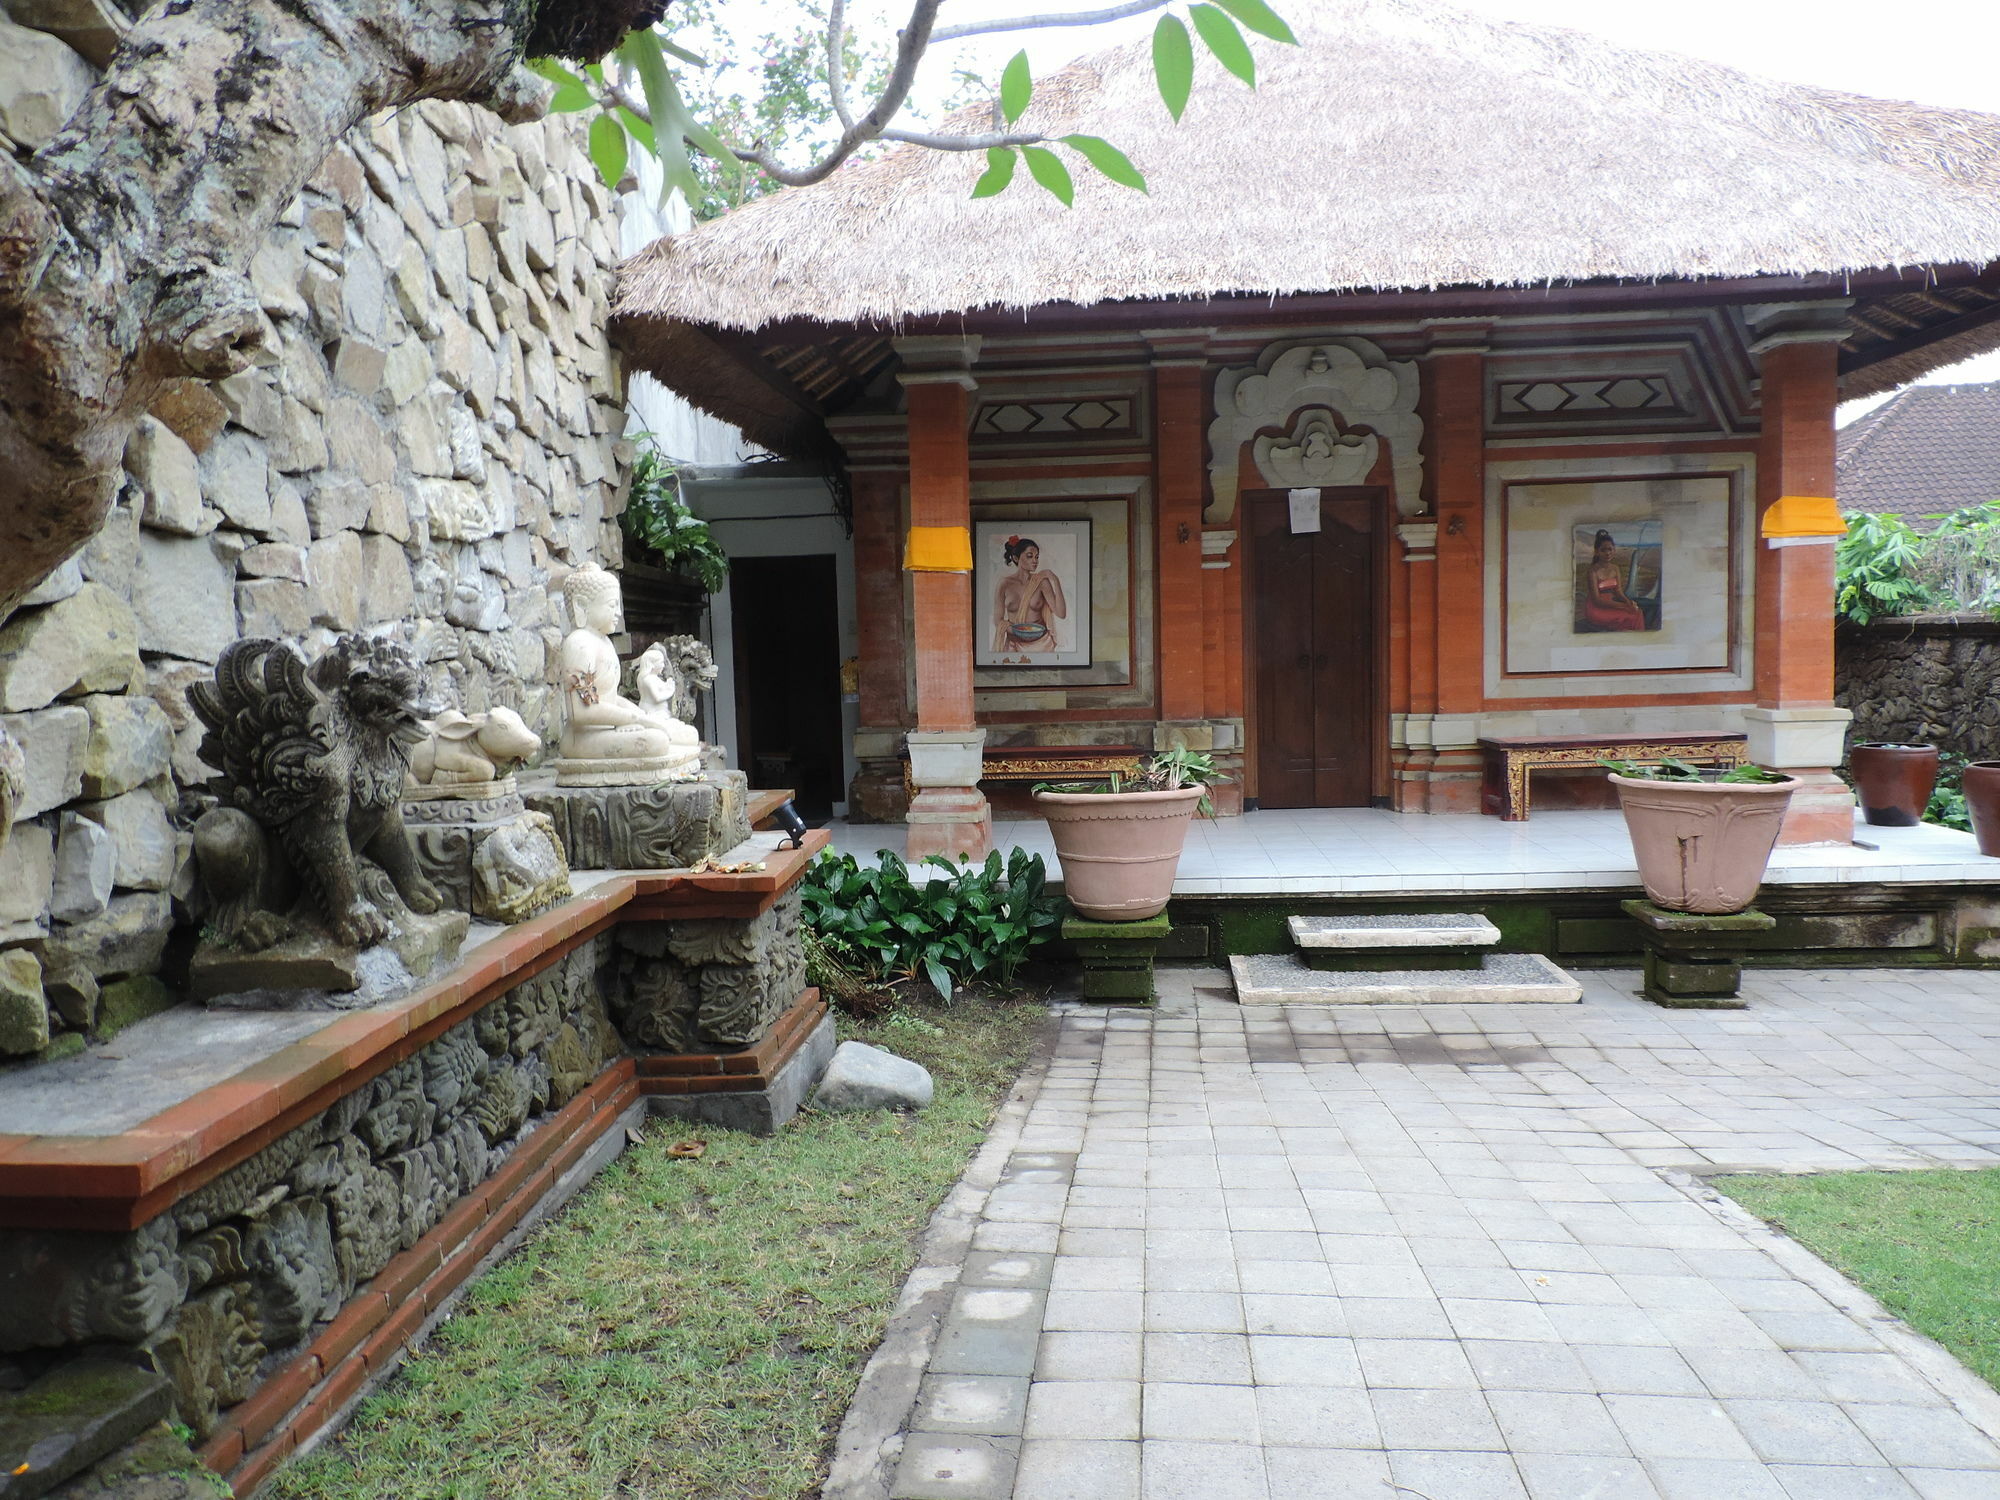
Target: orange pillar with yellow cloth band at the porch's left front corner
x,y
949,813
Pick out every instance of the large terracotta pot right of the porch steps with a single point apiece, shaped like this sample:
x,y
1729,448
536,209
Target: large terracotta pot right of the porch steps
x,y
1703,847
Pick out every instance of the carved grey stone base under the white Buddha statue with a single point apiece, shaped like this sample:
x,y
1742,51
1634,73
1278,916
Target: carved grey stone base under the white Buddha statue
x,y
659,827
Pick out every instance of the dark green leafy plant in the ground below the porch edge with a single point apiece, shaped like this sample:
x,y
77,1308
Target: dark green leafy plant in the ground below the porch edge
x,y
965,923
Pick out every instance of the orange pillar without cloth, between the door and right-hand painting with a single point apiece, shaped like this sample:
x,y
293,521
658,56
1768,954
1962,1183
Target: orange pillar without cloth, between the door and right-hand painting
x,y
1457,445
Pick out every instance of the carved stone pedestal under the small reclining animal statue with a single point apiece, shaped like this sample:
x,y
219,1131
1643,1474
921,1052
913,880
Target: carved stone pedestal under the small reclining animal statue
x,y
487,853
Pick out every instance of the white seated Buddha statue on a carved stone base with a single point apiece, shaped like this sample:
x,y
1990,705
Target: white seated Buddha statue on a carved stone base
x,y
607,739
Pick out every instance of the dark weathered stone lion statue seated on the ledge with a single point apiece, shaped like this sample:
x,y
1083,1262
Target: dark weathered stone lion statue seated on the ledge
x,y
309,849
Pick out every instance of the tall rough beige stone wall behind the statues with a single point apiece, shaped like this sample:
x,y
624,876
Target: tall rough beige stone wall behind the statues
x,y
433,443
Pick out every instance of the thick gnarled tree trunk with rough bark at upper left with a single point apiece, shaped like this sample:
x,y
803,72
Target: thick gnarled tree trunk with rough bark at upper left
x,y
125,243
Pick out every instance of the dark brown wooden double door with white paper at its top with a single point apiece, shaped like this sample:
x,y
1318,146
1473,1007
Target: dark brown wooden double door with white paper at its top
x,y
1315,651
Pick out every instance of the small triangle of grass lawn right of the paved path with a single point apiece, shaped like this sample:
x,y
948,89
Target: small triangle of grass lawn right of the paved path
x,y
1927,1245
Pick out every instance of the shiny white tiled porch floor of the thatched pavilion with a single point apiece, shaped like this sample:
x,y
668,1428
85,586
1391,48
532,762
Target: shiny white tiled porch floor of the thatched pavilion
x,y
1369,851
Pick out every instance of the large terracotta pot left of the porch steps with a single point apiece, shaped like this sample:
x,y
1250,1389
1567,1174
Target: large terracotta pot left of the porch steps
x,y
1119,849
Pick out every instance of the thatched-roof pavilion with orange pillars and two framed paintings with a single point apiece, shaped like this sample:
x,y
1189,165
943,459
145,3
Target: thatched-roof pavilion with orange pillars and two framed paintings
x,y
1461,381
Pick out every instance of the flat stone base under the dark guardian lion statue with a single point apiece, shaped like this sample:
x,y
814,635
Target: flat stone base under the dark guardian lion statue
x,y
311,971
